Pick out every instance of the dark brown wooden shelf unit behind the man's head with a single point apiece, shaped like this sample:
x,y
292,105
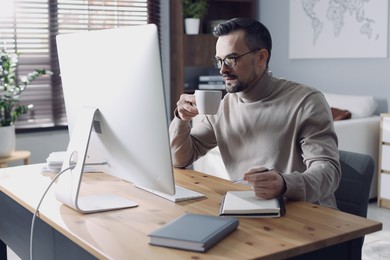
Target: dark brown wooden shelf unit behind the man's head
x,y
191,54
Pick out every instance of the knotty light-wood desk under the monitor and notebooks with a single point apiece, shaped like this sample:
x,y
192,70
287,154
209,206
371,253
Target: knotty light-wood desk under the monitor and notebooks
x,y
122,234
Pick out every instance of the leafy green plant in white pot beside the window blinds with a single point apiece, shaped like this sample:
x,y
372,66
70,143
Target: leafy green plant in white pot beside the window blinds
x,y
11,87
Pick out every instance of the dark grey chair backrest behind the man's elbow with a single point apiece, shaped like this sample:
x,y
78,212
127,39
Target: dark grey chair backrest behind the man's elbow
x,y
353,193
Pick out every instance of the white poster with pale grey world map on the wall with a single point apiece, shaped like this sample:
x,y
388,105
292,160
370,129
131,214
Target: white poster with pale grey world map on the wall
x,y
338,29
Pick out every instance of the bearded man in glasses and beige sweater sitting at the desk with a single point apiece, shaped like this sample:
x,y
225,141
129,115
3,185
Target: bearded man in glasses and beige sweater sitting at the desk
x,y
276,134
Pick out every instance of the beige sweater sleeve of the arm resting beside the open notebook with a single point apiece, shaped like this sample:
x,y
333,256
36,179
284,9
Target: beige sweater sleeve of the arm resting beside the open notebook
x,y
318,143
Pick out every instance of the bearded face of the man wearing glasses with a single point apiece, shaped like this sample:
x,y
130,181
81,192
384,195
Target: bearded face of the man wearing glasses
x,y
248,68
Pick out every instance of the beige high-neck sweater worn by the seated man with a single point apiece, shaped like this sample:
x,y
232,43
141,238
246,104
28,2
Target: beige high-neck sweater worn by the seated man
x,y
278,124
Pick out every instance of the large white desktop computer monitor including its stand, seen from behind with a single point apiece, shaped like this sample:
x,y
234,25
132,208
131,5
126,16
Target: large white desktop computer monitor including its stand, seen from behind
x,y
115,106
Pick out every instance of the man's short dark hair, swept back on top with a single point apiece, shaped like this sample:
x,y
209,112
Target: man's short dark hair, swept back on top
x,y
256,34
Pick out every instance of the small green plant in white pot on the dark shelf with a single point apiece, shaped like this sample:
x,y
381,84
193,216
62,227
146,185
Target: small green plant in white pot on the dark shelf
x,y
193,11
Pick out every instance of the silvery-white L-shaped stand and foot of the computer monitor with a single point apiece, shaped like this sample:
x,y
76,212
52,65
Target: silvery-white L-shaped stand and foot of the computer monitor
x,y
68,184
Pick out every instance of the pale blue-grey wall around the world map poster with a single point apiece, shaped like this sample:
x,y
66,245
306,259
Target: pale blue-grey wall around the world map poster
x,y
342,76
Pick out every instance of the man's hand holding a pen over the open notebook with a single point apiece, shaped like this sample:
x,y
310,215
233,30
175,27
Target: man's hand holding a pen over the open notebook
x,y
267,184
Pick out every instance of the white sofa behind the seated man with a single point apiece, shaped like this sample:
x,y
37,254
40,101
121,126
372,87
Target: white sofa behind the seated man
x,y
358,132
